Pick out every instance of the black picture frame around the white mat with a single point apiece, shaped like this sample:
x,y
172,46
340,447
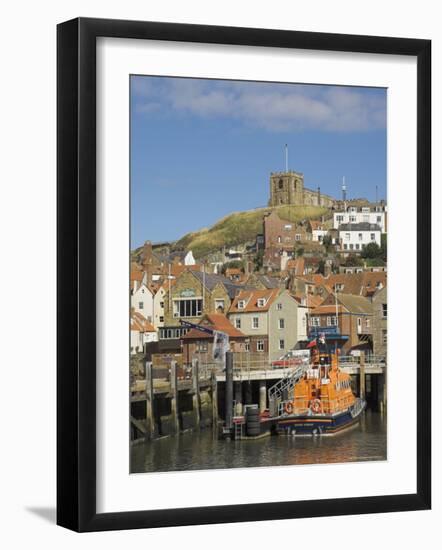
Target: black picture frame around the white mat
x,y
76,273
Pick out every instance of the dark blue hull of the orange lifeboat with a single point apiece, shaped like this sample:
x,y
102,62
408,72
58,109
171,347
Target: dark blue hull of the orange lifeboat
x,y
320,424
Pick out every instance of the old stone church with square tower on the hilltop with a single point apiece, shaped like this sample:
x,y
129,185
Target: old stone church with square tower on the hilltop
x,y
288,188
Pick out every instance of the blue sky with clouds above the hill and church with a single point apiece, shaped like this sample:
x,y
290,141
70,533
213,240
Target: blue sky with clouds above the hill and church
x,y
201,149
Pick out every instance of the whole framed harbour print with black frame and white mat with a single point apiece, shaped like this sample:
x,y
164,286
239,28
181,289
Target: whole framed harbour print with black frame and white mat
x,y
231,205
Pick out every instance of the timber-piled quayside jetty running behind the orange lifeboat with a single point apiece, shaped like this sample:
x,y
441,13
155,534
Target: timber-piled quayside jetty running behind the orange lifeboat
x,y
234,398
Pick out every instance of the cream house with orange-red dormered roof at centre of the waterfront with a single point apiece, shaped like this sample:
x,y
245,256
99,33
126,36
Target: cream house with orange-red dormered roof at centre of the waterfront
x,y
269,318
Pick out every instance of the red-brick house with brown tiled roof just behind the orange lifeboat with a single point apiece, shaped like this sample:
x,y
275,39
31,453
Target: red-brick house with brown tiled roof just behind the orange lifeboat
x,y
351,315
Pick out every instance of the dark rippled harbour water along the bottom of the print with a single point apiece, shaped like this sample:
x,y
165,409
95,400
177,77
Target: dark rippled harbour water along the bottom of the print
x,y
201,451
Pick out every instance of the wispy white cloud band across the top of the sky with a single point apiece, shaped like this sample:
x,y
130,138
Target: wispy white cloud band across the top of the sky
x,y
274,107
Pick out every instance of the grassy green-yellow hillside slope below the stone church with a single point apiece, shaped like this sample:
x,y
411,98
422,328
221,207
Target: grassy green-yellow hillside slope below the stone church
x,y
240,227
